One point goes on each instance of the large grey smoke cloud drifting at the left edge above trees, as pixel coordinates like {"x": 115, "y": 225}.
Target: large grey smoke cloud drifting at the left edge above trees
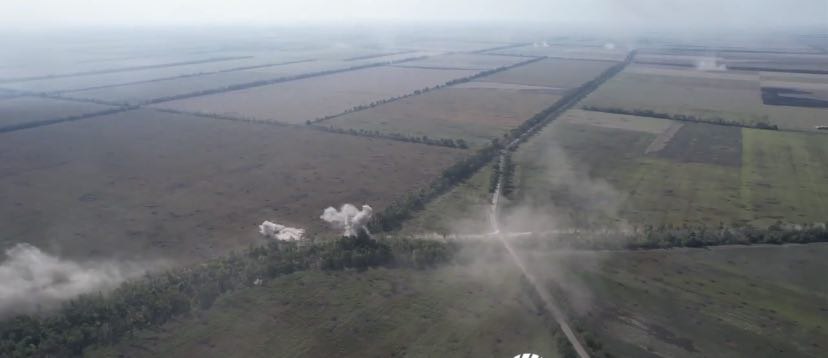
{"x": 32, "y": 281}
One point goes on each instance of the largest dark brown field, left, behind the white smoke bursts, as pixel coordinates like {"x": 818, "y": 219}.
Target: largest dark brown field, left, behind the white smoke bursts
{"x": 156, "y": 184}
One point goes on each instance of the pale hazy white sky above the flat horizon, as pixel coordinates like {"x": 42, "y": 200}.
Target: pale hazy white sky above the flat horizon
{"x": 739, "y": 13}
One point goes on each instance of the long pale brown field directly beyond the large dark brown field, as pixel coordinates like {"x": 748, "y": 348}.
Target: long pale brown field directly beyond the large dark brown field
{"x": 311, "y": 98}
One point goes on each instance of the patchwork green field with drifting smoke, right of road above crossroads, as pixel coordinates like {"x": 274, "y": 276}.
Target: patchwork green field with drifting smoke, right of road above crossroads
{"x": 646, "y": 173}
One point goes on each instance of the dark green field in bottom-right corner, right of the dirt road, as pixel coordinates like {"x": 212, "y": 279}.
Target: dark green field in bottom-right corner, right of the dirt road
{"x": 724, "y": 302}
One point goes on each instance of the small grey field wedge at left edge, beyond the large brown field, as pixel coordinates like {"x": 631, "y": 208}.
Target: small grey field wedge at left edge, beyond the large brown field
{"x": 25, "y": 110}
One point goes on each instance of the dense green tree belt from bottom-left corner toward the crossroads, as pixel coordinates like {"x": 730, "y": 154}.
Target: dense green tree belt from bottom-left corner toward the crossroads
{"x": 98, "y": 319}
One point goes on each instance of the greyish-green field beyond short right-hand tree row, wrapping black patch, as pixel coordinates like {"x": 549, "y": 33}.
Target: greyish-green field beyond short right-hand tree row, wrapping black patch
{"x": 734, "y": 97}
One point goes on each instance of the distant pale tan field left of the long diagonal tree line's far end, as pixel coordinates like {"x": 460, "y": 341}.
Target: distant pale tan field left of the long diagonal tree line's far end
{"x": 552, "y": 73}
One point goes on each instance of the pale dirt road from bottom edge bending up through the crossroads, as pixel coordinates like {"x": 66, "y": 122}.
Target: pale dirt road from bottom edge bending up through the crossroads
{"x": 549, "y": 302}
